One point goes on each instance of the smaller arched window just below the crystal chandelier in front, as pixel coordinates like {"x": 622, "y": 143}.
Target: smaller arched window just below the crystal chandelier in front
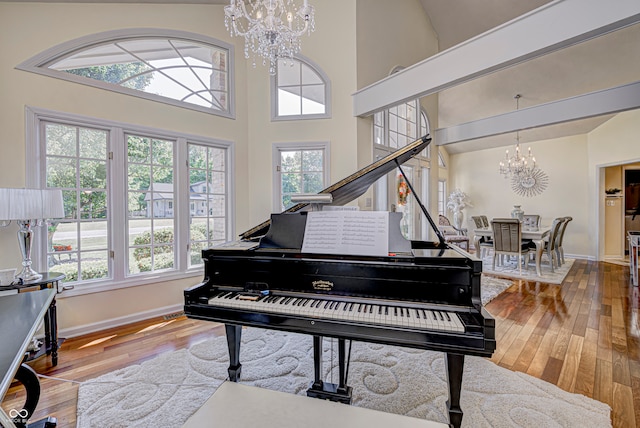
{"x": 300, "y": 90}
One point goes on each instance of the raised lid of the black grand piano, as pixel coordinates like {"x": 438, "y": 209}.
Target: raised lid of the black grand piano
{"x": 353, "y": 186}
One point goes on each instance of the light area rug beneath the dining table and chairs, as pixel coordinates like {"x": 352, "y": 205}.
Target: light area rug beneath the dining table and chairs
{"x": 510, "y": 270}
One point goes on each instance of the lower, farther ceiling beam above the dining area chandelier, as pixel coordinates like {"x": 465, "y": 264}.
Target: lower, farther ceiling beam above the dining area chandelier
{"x": 608, "y": 101}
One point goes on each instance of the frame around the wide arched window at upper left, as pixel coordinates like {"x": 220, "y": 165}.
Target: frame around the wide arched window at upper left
{"x": 39, "y": 63}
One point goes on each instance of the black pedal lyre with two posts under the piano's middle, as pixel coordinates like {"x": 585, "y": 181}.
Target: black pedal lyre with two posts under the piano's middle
{"x": 325, "y": 390}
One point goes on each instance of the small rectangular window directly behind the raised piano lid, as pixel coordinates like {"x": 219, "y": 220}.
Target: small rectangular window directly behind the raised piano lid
{"x": 300, "y": 168}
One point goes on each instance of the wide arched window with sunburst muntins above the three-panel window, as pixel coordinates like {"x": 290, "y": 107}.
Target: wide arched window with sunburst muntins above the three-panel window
{"x": 173, "y": 67}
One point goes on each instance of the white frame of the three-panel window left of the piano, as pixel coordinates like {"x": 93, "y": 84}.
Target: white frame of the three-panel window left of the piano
{"x": 117, "y": 210}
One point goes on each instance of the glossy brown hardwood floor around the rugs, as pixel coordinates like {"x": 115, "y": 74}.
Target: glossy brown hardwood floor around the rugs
{"x": 583, "y": 336}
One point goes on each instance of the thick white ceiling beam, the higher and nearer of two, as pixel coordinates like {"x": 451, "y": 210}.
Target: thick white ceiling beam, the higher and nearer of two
{"x": 552, "y": 27}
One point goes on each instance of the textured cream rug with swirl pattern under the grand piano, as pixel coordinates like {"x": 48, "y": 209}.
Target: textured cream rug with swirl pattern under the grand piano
{"x": 165, "y": 391}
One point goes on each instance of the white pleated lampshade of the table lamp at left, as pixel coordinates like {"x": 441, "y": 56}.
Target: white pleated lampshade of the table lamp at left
{"x": 31, "y": 204}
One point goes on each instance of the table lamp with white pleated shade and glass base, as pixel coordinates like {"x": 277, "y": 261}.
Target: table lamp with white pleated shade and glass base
{"x": 29, "y": 208}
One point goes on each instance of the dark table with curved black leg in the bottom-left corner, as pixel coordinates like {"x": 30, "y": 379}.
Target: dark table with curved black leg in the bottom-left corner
{"x": 20, "y": 315}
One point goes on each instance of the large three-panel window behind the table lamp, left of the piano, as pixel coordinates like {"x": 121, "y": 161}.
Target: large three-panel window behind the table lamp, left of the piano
{"x": 137, "y": 202}
